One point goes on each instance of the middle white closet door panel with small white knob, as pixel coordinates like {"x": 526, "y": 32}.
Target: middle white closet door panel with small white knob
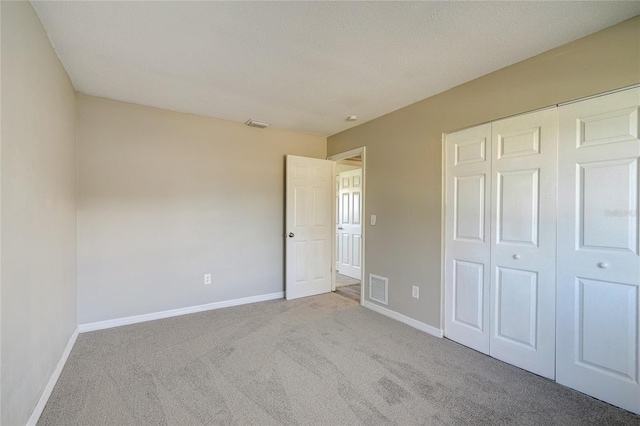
{"x": 523, "y": 241}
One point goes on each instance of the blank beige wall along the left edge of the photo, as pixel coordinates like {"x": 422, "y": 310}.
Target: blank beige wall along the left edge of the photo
{"x": 38, "y": 213}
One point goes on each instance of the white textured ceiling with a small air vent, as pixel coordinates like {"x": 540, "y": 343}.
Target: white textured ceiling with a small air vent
{"x": 303, "y": 66}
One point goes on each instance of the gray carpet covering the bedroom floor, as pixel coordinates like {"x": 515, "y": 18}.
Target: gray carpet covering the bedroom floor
{"x": 318, "y": 360}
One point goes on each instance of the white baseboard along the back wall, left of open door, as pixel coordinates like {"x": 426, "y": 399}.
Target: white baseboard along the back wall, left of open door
{"x": 101, "y": 325}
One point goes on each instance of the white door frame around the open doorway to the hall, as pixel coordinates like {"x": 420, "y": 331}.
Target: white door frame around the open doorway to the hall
{"x": 344, "y": 156}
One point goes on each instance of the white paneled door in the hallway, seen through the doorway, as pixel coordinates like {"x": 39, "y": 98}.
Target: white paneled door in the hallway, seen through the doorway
{"x": 349, "y": 227}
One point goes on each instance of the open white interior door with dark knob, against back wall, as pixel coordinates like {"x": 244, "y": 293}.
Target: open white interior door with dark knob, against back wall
{"x": 309, "y": 226}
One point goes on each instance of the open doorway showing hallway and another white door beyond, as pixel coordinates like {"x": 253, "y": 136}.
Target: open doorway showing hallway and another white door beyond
{"x": 348, "y": 247}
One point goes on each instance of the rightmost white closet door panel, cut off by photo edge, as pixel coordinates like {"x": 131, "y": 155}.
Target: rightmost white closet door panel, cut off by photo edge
{"x": 598, "y": 263}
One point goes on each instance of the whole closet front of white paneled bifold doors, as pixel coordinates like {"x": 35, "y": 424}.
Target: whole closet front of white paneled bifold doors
{"x": 542, "y": 263}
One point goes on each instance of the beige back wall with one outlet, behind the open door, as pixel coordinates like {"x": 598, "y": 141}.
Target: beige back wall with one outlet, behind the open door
{"x": 166, "y": 197}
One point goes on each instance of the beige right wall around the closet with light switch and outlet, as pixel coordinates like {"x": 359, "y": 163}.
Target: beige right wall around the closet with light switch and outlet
{"x": 404, "y": 186}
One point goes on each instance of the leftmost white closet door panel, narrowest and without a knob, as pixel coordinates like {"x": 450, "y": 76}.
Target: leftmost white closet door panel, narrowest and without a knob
{"x": 467, "y": 245}
